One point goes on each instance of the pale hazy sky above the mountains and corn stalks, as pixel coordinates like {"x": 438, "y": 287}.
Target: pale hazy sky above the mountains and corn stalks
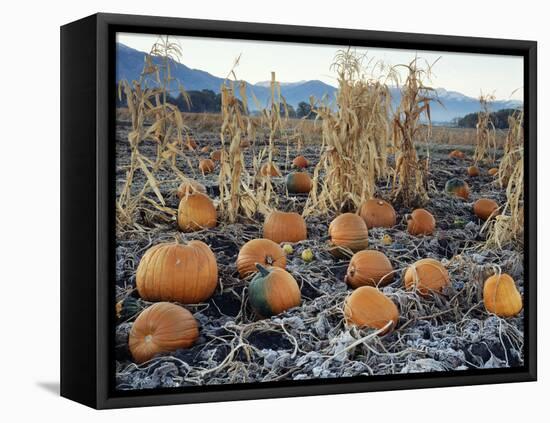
{"x": 464, "y": 72}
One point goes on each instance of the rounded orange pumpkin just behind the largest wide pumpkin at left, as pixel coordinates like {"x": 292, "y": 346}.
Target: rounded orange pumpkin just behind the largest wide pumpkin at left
{"x": 195, "y": 212}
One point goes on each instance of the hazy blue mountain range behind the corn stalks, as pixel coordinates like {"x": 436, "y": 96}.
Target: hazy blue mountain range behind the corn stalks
{"x": 129, "y": 65}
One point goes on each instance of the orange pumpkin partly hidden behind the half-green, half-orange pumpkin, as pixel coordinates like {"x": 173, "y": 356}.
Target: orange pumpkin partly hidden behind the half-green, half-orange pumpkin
{"x": 261, "y": 250}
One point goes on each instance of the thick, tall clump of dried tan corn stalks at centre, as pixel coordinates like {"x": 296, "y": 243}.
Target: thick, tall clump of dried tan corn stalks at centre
{"x": 354, "y": 137}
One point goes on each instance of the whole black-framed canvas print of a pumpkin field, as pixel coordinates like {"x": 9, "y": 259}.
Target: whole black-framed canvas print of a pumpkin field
{"x": 254, "y": 211}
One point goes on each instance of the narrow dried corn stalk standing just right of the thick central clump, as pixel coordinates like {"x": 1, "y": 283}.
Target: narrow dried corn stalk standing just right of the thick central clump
{"x": 410, "y": 178}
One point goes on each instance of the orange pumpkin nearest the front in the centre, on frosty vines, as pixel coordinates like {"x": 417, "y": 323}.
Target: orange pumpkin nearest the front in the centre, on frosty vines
{"x": 368, "y": 307}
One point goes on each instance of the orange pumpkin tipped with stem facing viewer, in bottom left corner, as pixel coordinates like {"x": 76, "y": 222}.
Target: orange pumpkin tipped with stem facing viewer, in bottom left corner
{"x": 162, "y": 327}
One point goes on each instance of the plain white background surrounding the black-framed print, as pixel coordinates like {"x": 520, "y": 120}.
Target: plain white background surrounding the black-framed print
{"x": 29, "y": 240}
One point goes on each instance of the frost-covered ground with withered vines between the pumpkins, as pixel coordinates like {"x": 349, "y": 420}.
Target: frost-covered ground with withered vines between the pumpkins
{"x": 447, "y": 332}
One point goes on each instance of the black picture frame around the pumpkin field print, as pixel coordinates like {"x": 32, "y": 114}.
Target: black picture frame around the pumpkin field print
{"x": 87, "y": 222}
